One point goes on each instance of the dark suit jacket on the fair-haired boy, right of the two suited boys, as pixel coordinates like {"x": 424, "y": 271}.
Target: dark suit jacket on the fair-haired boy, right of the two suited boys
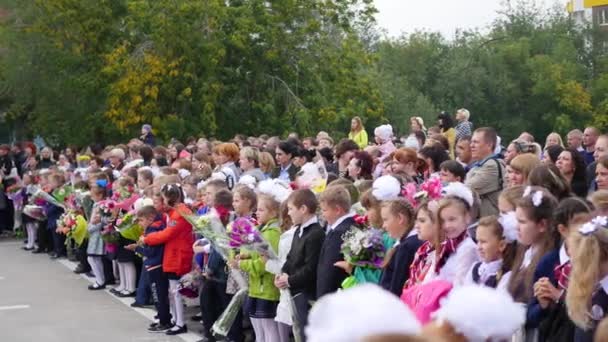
{"x": 330, "y": 277}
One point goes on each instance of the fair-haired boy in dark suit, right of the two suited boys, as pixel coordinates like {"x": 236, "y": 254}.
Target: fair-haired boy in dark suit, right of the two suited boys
{"x": 335, "y": 209}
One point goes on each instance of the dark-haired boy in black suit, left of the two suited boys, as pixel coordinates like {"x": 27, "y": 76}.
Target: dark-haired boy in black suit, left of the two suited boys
{"x": 300, "y": 268}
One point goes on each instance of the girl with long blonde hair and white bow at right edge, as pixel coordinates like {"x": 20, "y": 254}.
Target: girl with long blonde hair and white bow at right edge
{"x": 587, "y": 295}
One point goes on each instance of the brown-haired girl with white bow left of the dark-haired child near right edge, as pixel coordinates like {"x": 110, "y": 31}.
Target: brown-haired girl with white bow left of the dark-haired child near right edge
{"x": 536, "y": 237}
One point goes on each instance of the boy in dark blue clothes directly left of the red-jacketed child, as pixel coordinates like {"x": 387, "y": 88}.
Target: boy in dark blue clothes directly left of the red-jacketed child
{"x": 153, "y": 221}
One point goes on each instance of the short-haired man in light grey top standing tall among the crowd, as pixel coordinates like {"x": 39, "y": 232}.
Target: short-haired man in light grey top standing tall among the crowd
{"x": 486, "y": 175}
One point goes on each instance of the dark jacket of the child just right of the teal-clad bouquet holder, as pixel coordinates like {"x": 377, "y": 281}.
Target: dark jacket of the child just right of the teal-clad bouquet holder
{"x": 397, "y": 271}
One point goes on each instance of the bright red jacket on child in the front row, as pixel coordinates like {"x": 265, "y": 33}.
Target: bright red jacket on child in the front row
{"x": 178, "y": 239}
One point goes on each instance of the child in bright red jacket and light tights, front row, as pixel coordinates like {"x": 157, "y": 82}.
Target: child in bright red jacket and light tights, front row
{"x": 177, "y": 239}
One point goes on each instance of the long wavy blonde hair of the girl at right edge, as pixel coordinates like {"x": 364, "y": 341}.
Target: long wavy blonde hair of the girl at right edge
{"x": 591, "y": 249}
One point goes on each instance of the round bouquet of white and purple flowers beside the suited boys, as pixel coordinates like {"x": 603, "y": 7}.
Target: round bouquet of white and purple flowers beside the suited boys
{"x": 363, "y": 247}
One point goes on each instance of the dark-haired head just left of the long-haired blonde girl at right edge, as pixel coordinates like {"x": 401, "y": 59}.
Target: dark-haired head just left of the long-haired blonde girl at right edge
{"x": 569, "y": 214}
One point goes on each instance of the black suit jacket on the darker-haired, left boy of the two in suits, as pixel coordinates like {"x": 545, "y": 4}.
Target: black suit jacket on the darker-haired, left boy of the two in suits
{"x": 303, "y": 258}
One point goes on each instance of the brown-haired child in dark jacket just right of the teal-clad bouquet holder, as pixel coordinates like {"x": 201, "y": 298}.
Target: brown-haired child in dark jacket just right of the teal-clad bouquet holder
{"x": 398, "y": 220}
